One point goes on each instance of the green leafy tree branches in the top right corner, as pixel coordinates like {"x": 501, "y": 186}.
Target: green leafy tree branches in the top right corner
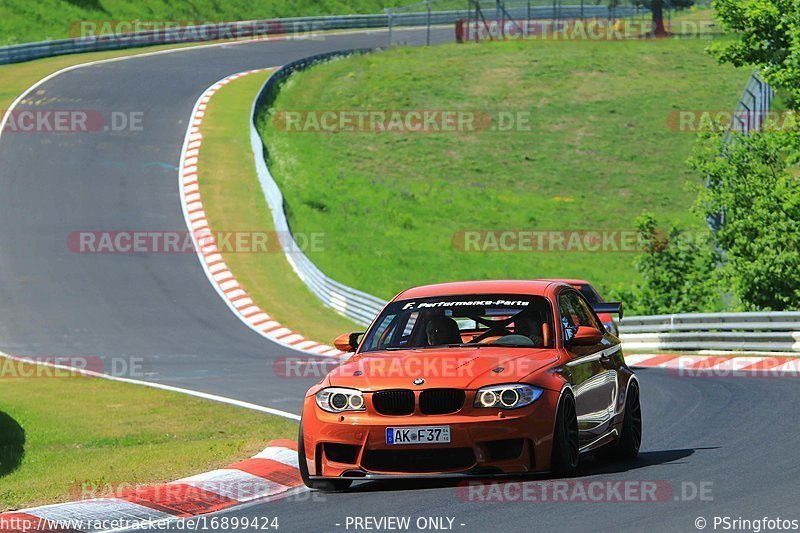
{"x": 767, "y": 36}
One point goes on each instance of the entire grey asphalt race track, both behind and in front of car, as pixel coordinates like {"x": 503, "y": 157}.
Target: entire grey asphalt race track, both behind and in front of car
{"x": 736, "y": 434}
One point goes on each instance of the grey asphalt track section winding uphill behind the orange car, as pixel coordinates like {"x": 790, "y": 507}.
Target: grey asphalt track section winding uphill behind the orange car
{"x": 156, "y": 308}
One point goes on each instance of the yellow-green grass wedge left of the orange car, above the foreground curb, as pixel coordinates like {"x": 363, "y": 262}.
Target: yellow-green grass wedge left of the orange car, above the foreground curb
{"x": 60, "y": 434}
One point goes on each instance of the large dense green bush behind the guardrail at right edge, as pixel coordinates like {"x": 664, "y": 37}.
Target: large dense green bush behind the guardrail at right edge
{"x": 752, "y": 182}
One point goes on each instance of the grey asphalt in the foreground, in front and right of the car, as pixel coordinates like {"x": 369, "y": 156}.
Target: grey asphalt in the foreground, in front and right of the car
{"x": 732, "y": 433}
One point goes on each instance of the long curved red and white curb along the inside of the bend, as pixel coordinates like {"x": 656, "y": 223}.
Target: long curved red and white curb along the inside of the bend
{"x": 217, "y": 271}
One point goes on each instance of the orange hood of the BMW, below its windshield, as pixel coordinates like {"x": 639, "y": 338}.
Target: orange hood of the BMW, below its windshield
{"x": 461, "y": 368}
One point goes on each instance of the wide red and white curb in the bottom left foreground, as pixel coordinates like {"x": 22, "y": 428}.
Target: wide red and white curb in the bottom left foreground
{"x": 272, "y": 474}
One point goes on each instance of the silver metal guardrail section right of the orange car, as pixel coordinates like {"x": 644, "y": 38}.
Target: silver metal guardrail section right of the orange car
{"x": 768, "y": 332}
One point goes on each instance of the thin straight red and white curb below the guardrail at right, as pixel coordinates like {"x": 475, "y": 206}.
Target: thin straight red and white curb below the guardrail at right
{"x": 719, "y": 365}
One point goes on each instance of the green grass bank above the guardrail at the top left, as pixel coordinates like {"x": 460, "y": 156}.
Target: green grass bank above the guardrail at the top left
{"x": 24, "y": 21}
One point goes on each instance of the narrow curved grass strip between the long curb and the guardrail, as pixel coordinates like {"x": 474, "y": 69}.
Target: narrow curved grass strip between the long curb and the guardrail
{"x": 234, "y": 202}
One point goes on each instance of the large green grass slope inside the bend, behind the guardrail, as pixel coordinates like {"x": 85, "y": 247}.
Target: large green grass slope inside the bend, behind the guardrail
{"x": 599, "y": 153}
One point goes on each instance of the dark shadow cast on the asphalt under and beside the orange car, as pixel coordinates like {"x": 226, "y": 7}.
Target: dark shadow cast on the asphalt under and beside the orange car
{"x": 589, "y": 467}
